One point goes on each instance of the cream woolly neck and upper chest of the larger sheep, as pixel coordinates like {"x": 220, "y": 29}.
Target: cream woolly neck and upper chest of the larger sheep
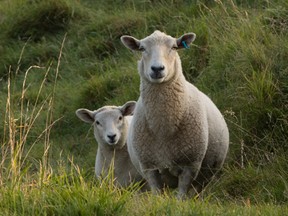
{"x": 166, "y": 103}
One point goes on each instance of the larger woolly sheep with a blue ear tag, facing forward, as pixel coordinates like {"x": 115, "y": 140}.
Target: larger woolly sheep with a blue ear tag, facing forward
{"x": 177, "y": 132}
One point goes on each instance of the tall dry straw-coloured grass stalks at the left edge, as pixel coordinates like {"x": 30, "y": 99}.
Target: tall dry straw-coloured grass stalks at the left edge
{"x": 18, "y": 125}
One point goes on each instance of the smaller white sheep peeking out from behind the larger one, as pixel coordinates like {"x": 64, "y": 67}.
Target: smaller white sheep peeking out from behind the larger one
{"x": 111, "y": 125}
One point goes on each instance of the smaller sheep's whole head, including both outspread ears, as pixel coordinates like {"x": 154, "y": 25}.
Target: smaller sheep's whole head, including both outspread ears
{"x": 110, "y": 126}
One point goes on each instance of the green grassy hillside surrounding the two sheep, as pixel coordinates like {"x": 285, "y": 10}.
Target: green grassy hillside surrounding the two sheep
{"x": 60, "y": 55}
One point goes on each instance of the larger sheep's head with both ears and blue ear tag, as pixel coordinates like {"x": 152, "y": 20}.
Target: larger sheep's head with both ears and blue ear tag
{"x": 159, "y": 54}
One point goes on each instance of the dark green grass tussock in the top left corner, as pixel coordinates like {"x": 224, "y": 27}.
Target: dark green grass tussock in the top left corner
{"x": 40, "y": 18}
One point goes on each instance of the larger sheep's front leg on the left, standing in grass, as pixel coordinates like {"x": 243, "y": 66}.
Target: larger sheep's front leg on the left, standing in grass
{"x": 153, "y": 178}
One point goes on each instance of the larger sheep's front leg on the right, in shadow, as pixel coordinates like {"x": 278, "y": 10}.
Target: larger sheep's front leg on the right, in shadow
{"x": 186, "y": 177}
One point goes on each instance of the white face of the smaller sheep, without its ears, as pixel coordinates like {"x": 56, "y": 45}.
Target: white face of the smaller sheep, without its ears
{"x": 108, "y": 126}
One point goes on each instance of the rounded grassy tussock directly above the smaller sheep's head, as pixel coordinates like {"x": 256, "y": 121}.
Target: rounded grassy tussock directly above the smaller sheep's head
{"x": 110, "y": 87}
